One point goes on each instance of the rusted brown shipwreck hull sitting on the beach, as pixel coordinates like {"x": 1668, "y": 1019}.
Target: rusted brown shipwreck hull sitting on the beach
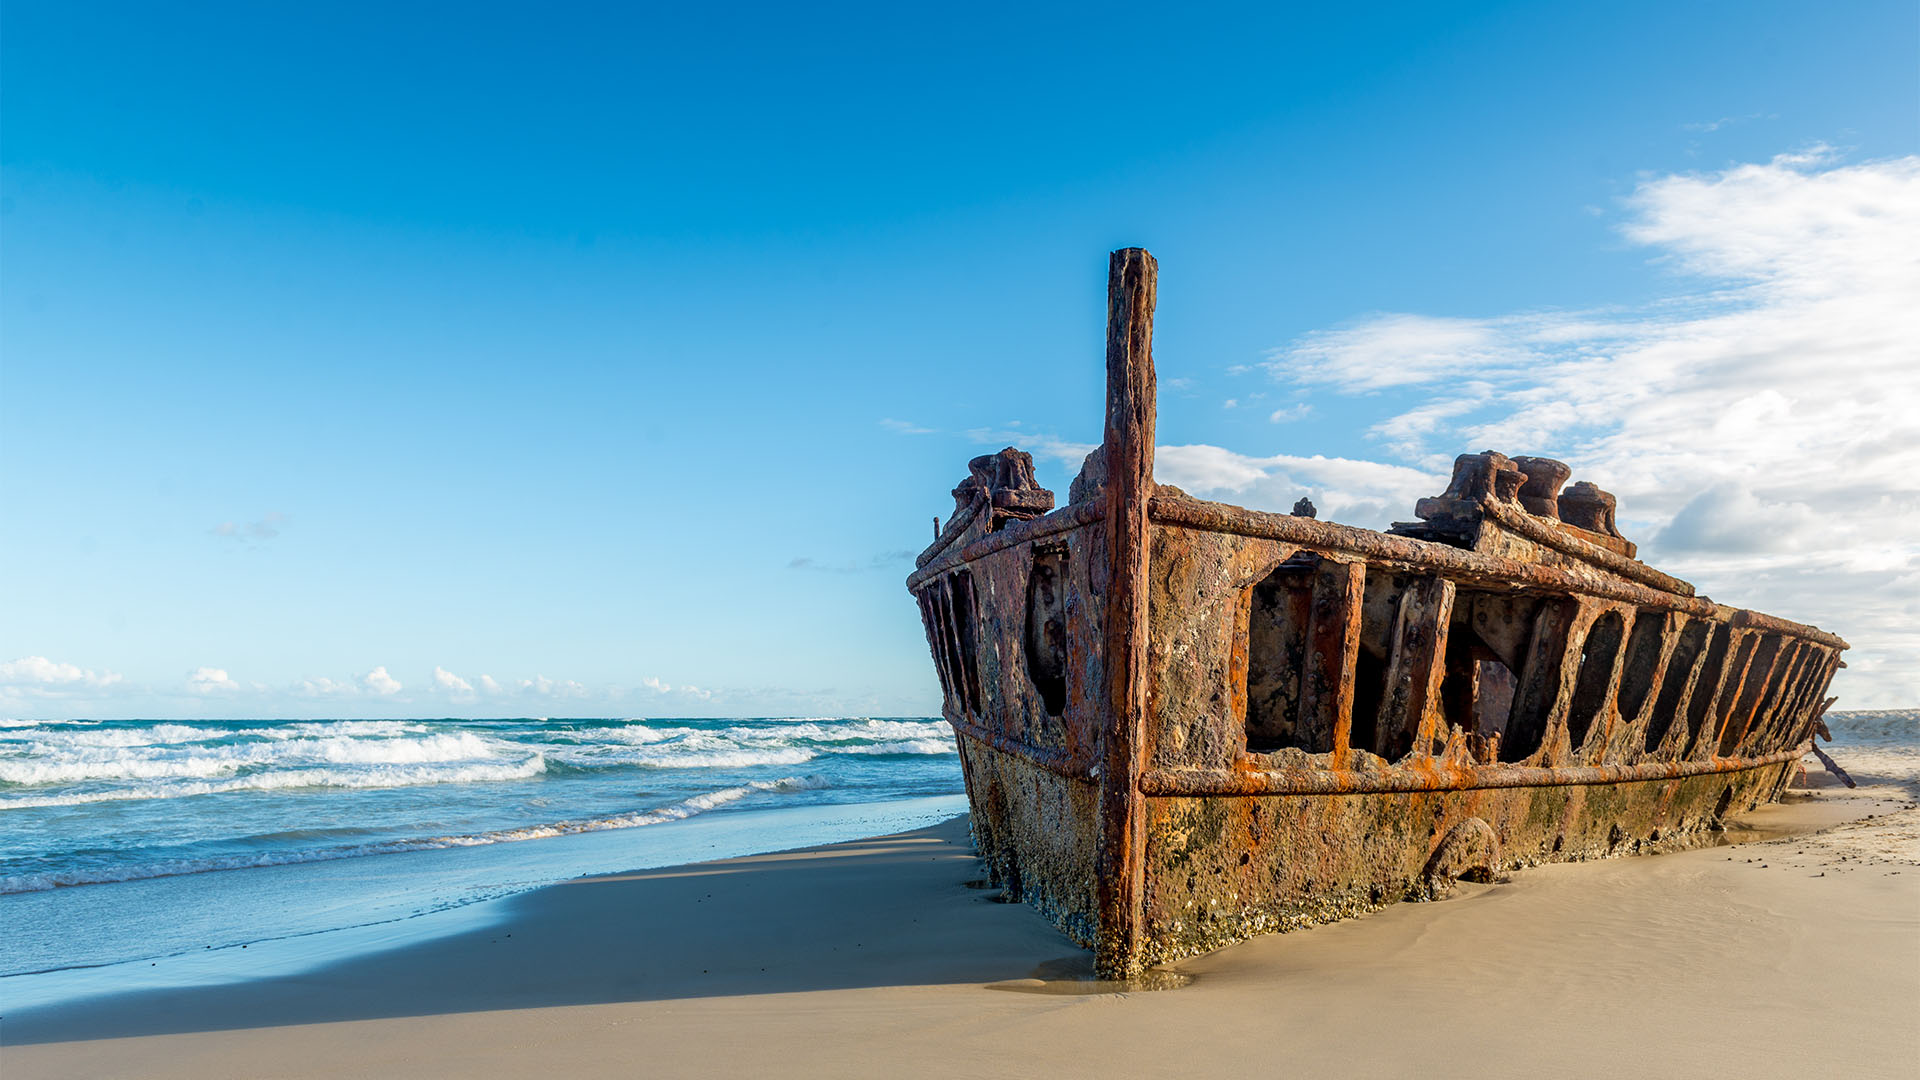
{"x": 1184, "y": 724}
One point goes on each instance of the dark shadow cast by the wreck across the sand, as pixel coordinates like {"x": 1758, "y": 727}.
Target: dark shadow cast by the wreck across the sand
{"x": 888, "y": 912}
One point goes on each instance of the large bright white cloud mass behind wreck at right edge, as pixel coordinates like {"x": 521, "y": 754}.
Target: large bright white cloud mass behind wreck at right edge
{"x": 1762, "y": 431}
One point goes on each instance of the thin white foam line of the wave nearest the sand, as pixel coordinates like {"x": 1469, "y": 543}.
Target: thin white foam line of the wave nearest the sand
{"x": 673, "y": 812}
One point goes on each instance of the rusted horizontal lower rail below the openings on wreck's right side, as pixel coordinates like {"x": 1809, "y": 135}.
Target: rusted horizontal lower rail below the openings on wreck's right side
{"x": 1433, "y": 777}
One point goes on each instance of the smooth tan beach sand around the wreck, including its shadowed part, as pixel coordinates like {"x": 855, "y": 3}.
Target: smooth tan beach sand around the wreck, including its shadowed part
{"x": 1785, "y": 958}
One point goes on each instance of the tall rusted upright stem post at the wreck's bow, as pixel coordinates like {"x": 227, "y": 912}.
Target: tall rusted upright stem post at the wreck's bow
{"x": 1130, "y": 485}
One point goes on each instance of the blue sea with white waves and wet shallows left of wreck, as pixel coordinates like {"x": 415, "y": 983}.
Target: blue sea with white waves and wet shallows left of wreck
{"x": 130, "y": 841}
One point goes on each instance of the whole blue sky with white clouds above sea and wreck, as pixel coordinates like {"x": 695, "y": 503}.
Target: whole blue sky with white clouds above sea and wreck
{"x": 625, "y": 355}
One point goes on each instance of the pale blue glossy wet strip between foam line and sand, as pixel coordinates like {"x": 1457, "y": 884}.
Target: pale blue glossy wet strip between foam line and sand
{"x": 189, "y": 929}
